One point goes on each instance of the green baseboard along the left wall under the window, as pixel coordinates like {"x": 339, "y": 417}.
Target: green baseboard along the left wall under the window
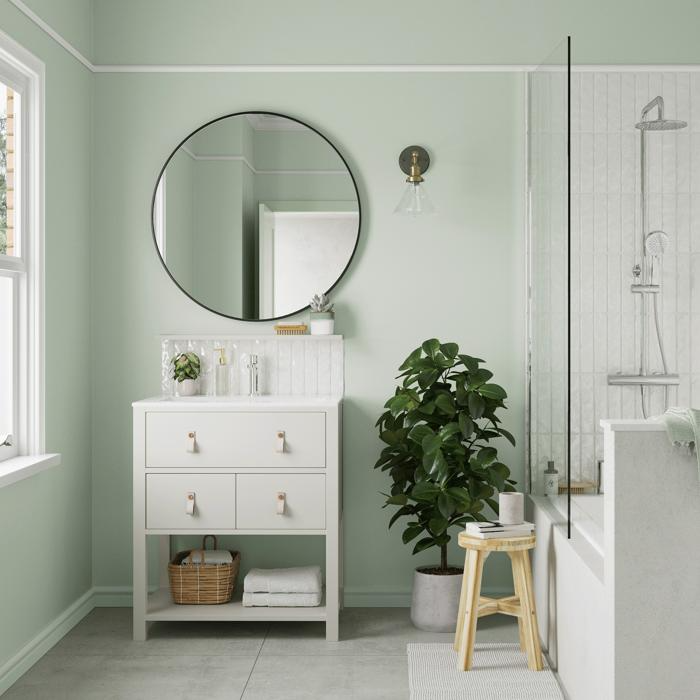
{"x": 33, "y": 650}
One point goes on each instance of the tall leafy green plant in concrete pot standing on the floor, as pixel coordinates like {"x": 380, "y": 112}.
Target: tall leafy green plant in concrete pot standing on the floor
{"x": 444, "y": 472}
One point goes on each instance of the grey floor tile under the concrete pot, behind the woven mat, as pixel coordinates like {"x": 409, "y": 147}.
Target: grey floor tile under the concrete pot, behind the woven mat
{"x": 372, "y": 631}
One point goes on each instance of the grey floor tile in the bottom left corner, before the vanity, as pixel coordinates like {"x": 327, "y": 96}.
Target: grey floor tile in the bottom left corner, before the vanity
{"x": 58, "y": 677}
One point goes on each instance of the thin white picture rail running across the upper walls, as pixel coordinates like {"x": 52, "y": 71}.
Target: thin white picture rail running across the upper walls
{"x": 339, "y": 68}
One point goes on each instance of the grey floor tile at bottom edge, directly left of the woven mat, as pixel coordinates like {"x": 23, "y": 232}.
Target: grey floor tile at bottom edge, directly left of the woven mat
{"x": 328, "y": 677}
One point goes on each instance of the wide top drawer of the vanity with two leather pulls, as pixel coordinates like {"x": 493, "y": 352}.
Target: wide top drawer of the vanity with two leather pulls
{"x": 235, "y": 440}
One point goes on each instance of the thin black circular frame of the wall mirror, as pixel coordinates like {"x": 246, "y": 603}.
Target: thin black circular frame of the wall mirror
{"x": 240, "y": 114}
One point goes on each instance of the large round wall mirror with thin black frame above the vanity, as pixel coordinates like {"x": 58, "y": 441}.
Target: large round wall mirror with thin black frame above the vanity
{"x": 254, "y": 213}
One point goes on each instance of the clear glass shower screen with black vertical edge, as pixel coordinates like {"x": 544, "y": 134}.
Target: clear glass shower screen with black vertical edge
{"x": 549, "y": 282}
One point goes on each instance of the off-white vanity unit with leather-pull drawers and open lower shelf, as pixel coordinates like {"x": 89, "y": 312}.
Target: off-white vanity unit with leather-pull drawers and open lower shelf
{"x": 266, "y": 465}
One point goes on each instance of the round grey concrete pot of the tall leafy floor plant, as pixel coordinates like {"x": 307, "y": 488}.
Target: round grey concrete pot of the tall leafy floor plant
{"x": 435, "y": 601}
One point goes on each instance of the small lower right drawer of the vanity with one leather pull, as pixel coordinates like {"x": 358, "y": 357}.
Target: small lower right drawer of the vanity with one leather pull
{"x": 303, "y": 506}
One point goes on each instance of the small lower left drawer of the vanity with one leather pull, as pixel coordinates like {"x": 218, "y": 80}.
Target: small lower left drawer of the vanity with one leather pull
{"x": 214, "y": 500}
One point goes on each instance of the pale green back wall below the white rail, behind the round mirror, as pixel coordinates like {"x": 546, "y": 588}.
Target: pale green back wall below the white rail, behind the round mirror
{"x": 457, "y": 275}
